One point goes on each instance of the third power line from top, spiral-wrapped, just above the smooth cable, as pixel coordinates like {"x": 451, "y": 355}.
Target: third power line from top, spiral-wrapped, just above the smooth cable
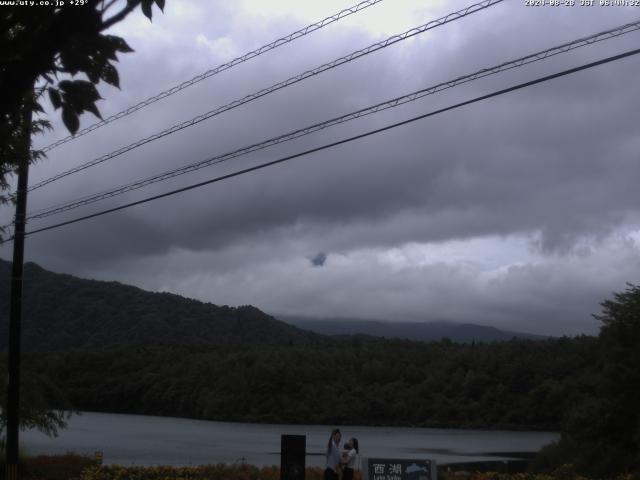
{"x": 605, "y": 35}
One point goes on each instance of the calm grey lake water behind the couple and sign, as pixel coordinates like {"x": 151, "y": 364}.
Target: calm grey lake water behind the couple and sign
{"x": 146, "y": 440}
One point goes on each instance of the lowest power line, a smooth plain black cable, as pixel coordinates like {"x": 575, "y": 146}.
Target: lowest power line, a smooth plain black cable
{"x": 340, "y": 142}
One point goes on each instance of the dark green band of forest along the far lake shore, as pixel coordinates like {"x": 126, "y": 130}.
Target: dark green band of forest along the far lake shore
{"x": 520, "y": 384}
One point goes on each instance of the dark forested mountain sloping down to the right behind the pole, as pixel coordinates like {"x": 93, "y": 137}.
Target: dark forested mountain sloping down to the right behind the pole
{"x": 62, "y": 312}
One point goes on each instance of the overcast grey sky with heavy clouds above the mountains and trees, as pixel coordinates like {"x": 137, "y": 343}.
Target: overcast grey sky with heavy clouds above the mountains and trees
{"x": 520, "y": 212}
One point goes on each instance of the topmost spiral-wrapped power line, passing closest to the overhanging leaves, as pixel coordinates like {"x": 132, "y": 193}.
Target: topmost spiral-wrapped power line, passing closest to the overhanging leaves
{"x": 214, "y": 71}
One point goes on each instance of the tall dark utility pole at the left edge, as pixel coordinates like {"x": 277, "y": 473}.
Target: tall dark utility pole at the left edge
{"x": 15, "y": 315}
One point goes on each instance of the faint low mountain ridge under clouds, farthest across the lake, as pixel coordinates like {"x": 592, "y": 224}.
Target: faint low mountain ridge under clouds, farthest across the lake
{"x": 425, "y": 332}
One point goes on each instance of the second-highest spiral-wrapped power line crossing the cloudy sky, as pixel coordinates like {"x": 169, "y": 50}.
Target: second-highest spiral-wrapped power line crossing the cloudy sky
{"x": 309, "y": 73}
